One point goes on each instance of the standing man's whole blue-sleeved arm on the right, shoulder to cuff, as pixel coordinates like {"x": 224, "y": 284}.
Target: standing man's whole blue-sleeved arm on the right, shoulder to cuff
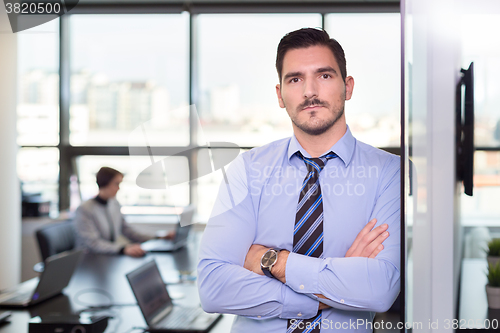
{"x": 356, "y": 283}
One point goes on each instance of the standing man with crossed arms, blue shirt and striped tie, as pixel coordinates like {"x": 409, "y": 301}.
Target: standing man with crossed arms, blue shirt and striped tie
{"x": 294, "y": 242}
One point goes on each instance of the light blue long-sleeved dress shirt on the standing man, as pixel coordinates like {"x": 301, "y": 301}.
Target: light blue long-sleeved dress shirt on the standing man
{"x": 257, "y": 205}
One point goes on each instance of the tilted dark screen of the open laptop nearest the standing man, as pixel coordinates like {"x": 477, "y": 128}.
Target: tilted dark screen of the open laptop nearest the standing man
{"x": 149, "y": 289}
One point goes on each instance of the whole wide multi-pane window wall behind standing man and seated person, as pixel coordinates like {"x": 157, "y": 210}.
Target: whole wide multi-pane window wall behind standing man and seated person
{"x": 132, "y": 78}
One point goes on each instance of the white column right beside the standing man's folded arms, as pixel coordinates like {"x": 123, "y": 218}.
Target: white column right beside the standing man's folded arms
{"x": 435, "y": 66}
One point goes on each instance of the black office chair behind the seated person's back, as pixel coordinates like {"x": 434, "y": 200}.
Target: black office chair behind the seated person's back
{"x": 55, "y": 238}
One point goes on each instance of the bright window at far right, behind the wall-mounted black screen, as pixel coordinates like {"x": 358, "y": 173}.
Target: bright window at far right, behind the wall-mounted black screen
{"x": 481, "y": 209}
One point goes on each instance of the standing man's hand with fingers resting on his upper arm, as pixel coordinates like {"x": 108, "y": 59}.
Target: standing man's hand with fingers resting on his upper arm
{"x": 368, "y": 243}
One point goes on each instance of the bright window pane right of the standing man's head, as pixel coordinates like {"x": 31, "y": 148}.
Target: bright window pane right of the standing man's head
{"x": 371, "y": 43}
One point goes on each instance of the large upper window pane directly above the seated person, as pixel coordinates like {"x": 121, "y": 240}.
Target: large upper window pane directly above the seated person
{"x": 127, "y": 70}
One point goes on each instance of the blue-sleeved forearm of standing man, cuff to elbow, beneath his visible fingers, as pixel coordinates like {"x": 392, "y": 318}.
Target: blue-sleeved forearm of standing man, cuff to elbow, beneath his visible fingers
{"x": 357, "y": 283}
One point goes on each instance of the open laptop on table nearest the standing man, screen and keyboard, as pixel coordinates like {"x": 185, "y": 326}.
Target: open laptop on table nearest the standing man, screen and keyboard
{"x": 156, "y": 306}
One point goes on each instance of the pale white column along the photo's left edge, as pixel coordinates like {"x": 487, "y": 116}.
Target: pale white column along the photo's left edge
{"x": 10, "y": 201}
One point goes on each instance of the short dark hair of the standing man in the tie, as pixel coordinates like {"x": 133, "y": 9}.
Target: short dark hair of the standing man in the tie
{"x": 307, "y": 37}
